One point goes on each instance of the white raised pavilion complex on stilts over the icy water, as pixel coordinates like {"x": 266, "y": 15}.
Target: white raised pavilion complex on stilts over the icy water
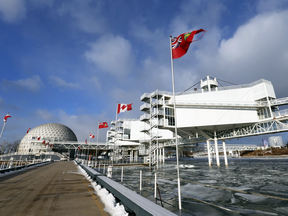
{"x": 209, "y": 114}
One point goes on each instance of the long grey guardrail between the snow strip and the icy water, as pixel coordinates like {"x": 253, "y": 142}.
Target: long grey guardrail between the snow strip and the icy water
{"x": 131, "y": 200}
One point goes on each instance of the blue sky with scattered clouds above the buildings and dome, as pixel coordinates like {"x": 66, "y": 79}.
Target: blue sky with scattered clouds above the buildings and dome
{"x": 71, "y": 61}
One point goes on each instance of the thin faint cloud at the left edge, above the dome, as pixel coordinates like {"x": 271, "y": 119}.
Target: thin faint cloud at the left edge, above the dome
{"x": 32, "y": 84}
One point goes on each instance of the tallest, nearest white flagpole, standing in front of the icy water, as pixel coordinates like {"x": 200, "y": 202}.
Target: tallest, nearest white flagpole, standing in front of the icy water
{"x": 175, "y": 119}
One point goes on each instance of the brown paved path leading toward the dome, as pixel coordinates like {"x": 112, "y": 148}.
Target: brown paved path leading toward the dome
{"x": 53, "y": 189}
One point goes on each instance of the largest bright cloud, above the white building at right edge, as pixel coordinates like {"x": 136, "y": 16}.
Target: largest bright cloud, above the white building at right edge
{"x": 258, "y": 49}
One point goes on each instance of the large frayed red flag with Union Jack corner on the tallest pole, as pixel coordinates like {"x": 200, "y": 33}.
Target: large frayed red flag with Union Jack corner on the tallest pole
{"x": 181, "y": 43}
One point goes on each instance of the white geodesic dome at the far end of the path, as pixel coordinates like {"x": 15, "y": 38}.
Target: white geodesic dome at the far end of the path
{"x": 51, "y": 132}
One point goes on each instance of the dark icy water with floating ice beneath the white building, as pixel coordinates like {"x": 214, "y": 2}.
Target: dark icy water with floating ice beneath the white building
{"x": 234, "y": 194}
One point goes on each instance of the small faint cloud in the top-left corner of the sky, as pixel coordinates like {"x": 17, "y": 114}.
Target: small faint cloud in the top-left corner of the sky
{"x": 12, "y": 11}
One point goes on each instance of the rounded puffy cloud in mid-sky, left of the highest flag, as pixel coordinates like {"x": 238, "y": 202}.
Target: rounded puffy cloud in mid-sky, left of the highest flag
{"x": 112, "y": 54}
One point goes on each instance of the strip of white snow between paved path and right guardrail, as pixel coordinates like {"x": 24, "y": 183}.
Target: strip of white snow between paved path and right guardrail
{"x": 113, "y": 208}
